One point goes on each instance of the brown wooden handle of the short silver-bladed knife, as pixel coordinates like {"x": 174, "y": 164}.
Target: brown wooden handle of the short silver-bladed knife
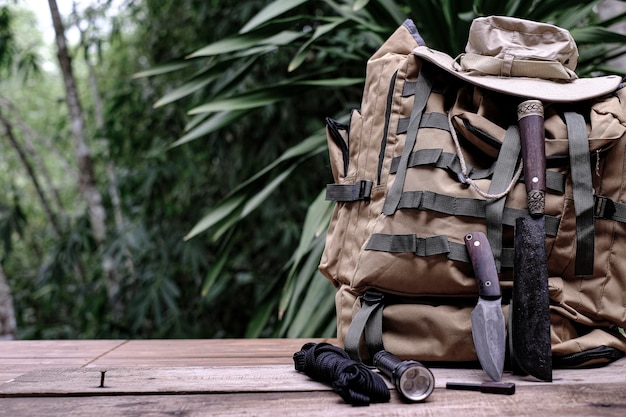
{"x": 484, "y": 265}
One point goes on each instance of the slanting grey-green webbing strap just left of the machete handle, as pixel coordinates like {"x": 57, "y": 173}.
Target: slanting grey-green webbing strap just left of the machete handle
{"x": 502, "y": 176}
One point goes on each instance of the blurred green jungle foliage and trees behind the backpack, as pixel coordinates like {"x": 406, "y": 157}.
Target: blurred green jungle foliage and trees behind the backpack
{"x": 163, "y": 161}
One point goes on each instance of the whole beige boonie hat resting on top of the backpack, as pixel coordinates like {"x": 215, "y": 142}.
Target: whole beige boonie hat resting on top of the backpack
{"x": 521, "y": 58}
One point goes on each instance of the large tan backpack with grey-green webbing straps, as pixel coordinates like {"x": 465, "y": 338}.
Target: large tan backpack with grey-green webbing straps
{"x": 394, "y": 246}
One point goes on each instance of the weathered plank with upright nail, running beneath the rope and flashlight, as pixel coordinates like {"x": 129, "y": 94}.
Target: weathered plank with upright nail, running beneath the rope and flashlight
{"x": 258, "y": 378}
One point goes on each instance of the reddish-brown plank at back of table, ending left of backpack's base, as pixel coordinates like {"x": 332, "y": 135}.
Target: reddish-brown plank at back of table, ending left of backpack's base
{"x": 234, "y": 352}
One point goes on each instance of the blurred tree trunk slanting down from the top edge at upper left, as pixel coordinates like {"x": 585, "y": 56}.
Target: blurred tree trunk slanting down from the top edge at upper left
{"x": 86, "y": 178}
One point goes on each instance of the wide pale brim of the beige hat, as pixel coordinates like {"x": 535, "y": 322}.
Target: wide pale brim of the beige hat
{"x": 532, "y": 88}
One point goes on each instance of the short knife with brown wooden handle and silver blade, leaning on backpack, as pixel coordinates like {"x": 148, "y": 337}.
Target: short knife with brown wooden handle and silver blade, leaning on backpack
{"x": 488, "y": 326}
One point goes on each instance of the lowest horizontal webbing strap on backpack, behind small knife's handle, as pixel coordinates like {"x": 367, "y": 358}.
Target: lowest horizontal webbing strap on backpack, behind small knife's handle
{"x": 430, "y": 246}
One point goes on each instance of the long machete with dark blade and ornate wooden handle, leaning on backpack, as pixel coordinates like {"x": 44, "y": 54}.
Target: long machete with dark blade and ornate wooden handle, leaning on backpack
{"x": 530, "y": 340}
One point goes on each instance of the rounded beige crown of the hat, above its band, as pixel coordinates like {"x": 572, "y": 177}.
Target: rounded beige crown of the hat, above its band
{"x": 513, "y": 38}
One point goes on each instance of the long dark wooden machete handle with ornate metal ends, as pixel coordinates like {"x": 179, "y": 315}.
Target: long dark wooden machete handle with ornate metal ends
{"x": 530, "y": 119}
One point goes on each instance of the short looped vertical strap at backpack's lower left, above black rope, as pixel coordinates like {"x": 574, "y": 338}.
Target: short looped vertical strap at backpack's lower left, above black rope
{"x": 364, "y": 323}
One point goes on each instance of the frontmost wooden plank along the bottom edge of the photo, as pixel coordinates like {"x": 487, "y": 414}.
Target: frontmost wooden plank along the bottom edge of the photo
{"x": 529, "y": 401}
